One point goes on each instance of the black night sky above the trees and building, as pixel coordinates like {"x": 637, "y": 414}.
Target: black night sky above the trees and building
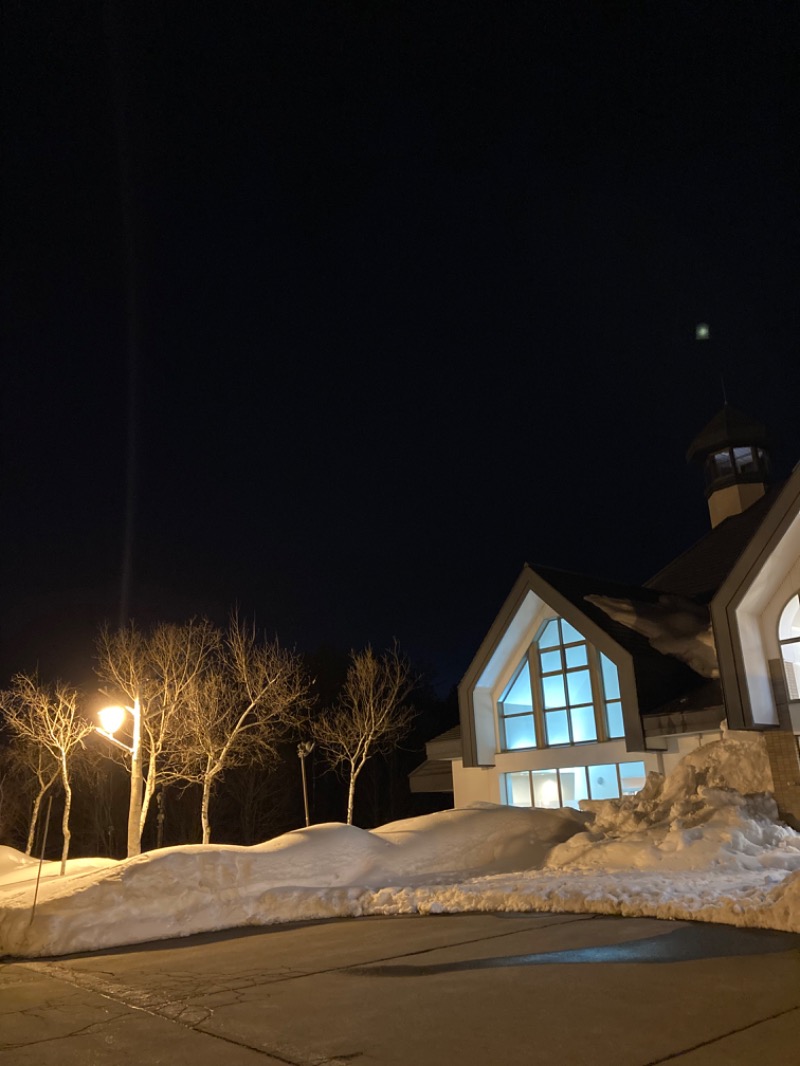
{"x": 414, "y": 295}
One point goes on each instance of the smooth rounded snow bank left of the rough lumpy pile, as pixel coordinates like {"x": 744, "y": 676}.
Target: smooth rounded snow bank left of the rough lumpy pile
{"x": 310, "y": 874}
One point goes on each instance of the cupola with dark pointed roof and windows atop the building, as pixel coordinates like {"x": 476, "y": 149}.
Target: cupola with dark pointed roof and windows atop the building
{"x": 732, "y": 449}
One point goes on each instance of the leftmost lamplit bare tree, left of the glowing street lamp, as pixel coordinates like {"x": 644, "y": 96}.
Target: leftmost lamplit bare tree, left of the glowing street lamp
{"x": 49, "y": 719}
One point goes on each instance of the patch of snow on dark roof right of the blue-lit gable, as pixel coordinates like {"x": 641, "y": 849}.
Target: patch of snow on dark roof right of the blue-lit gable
{"x": 674, "y": 626}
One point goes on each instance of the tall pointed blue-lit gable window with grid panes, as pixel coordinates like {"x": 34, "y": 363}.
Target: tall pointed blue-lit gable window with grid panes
{"x": 564, "y": 692}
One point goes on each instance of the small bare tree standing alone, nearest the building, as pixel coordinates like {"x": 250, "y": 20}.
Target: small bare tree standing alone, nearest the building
{"x": 370, "y": 717}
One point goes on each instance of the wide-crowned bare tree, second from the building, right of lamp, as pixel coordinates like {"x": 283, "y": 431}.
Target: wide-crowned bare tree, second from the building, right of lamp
{"x": 239, "y": 709}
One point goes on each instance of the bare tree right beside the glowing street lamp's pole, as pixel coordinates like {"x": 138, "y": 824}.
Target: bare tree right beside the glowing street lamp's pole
{"x": 159, "y": 675}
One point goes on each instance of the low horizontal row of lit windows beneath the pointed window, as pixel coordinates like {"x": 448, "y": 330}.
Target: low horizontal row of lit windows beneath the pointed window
{"x": 568, "y": 786}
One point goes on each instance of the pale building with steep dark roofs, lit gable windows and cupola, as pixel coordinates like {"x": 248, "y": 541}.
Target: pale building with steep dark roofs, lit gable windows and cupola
{"x": 584, "y": 686}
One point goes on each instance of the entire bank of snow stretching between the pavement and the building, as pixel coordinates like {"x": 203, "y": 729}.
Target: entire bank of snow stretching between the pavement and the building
{"x": 703, "y": 844}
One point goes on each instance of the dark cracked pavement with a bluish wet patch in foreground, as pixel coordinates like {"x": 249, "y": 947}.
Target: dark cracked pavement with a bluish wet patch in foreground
{"x": 471, "y": 990}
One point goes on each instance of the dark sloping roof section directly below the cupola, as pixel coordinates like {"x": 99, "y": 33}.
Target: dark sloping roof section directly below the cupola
{"x": 701, "y": 570}
